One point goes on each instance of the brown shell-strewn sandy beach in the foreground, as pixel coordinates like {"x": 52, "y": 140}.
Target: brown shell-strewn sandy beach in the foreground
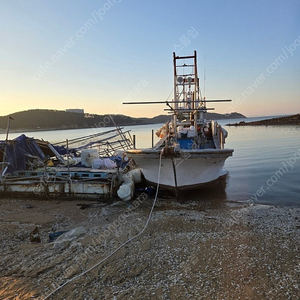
{"x": 189, "y": 250}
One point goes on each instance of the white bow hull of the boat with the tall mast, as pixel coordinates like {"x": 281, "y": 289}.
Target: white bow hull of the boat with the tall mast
{"x": 185, "y": 169}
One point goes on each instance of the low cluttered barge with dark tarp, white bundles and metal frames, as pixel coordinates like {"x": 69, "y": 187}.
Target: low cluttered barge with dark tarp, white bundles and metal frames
{"x": 86, "y": 167}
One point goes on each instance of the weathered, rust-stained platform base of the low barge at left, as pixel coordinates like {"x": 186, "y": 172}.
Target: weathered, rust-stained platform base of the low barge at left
{"x": 74, "y": 183}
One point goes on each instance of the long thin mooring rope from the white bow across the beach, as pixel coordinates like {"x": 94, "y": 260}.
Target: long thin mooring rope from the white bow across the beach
{"x": 120, "y": 247}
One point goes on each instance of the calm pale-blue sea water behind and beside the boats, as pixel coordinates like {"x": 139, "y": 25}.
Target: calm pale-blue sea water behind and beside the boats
{"x": 264, "y": 168}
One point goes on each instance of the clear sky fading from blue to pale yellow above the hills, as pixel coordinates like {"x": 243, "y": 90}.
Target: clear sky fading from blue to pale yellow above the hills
{"x": 94, "y": 55}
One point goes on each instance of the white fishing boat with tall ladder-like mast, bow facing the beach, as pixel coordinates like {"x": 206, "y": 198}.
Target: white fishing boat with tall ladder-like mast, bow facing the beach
{"x": 190, "y": 152}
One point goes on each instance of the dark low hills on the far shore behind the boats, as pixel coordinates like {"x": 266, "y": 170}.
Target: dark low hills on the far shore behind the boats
{"x": 44, "y": 119}
